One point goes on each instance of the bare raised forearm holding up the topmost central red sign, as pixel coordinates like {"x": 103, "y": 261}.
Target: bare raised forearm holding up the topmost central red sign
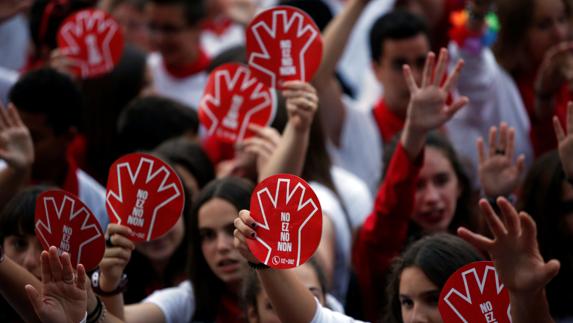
{"x": 290, "y": 154}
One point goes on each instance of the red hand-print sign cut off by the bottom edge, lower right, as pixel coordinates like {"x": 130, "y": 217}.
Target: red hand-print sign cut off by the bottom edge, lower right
{"x": 474, "y": 293}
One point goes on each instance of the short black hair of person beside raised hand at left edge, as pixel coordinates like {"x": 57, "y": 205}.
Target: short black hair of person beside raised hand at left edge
{"x": 48, "y": 92}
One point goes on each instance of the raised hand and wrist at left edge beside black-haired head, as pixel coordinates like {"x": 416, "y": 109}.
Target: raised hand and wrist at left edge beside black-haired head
{"x": 17, "y": 150}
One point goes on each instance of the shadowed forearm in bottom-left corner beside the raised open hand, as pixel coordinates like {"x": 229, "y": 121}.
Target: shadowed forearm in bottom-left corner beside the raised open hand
{"x": 13, "y": 278}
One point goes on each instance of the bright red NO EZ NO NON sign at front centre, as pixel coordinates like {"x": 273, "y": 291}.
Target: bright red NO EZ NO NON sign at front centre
{"x": 289, "y": 221}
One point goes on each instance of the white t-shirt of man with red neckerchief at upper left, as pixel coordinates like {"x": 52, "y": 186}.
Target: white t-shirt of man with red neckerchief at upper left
{"x": 185, "y": 90}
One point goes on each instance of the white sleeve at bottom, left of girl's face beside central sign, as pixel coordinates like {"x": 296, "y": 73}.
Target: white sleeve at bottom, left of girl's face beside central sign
{"x": 176, "y": 303}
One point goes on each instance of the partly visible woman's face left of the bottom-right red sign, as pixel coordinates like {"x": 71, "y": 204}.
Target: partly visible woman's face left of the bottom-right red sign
{"x": 418, "y": 297}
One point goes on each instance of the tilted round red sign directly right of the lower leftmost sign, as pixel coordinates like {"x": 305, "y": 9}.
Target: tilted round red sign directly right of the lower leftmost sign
{"x": 144, "y": 194}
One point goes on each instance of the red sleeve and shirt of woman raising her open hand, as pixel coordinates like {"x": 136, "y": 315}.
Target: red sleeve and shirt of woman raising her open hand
{"x": 384, "y": 233}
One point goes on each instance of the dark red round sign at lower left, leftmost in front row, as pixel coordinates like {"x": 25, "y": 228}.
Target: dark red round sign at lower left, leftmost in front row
{"x": 62, "y": 220}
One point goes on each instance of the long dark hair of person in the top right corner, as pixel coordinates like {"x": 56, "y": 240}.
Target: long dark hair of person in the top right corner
{"x": 515, "y": 17}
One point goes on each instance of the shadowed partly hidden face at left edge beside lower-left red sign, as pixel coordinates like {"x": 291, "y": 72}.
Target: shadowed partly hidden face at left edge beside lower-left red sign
{"x": 24, "y": 250}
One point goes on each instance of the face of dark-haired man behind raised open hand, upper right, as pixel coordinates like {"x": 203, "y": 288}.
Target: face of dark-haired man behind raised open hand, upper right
{"x": 388, "y": 69}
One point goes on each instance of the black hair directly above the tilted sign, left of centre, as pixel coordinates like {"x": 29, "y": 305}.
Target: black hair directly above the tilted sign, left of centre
{"x": 149, "y": 121}
